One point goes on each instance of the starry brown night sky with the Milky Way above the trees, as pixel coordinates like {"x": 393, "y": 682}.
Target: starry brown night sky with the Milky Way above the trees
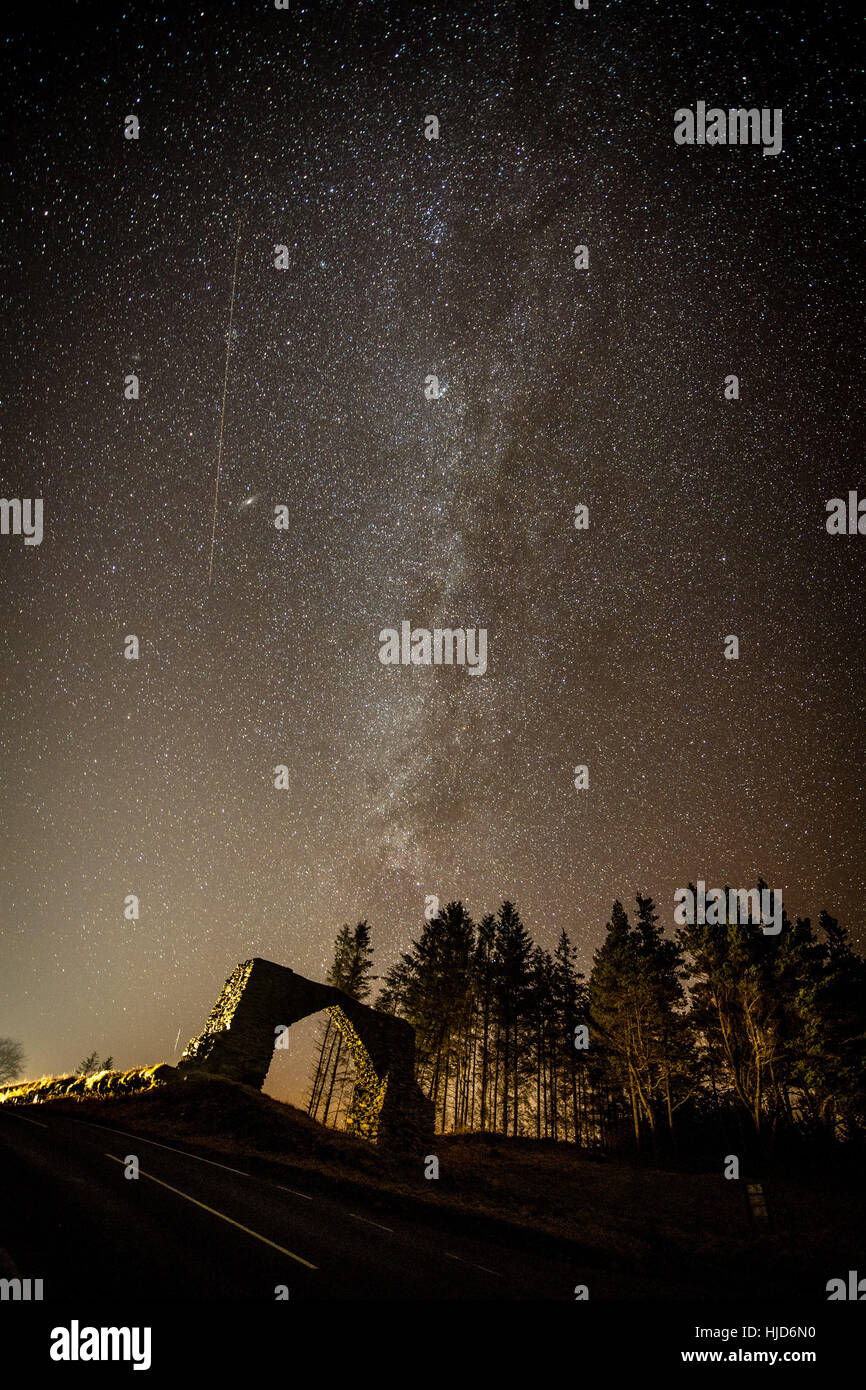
{"x": 559, "y": 387}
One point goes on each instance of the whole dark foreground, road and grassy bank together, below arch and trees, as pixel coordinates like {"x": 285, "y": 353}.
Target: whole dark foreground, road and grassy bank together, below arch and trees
{"x": 505, "y": 1220}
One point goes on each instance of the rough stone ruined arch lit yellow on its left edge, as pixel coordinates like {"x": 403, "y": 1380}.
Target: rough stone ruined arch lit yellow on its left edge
{"x": 259, "y": 999}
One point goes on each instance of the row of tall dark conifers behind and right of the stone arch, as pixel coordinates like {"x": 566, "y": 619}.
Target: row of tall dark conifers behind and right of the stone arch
{"x": 667, "y": 1036}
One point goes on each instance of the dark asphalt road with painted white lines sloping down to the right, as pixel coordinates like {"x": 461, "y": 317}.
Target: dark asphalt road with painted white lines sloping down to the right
{"x": 194, "y": 1229}
